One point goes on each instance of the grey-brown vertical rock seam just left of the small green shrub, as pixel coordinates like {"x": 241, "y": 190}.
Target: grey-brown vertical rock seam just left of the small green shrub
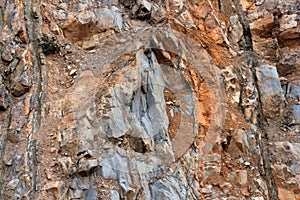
{"x": 33, "y": 26}
